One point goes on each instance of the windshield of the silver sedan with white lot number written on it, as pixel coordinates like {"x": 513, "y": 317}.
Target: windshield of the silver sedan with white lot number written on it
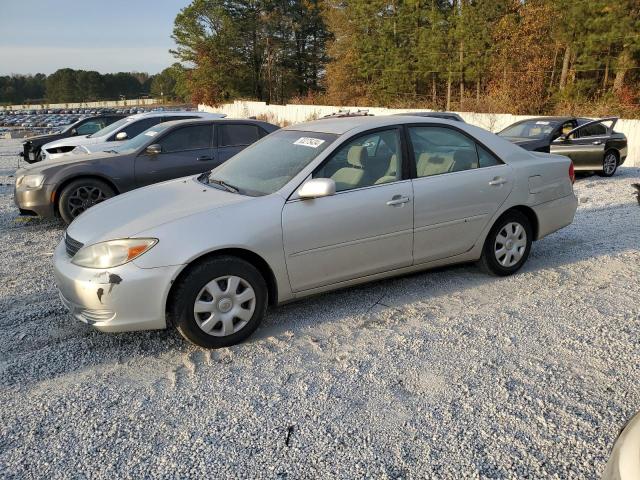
{"x": 268, "y": 165}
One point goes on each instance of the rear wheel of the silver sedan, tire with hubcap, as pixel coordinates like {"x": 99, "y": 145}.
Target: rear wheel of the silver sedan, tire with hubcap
{"x": 497, "y": 257}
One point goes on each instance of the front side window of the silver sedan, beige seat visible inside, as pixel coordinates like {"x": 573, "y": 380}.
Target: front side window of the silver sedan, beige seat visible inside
{"x": 365, "y": 161}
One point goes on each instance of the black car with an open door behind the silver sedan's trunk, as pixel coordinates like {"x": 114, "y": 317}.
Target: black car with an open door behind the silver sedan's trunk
{"x": 592, "y": 145}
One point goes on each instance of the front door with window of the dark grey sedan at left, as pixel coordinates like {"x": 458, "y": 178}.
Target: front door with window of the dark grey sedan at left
{"x": 185, "y": 151}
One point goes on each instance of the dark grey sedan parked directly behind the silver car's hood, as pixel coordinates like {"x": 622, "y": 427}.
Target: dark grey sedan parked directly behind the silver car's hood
{"x": 174, "y": 149}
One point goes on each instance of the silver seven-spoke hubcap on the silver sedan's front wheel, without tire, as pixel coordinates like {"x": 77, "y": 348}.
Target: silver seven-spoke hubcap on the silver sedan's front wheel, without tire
{"x": 224, "y": 306}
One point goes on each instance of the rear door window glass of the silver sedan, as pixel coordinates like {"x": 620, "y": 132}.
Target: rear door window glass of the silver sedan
{"x": 440, "y": 150}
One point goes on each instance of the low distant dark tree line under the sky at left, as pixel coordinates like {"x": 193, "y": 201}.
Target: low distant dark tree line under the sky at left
{"x": 70, "y": 86}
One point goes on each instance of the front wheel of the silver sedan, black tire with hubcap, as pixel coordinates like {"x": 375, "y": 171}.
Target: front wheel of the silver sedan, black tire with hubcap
{"x": 206, "y": 311}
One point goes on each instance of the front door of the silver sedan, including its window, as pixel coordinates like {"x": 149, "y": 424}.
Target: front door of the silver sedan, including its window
{"x": 365, "y": 228}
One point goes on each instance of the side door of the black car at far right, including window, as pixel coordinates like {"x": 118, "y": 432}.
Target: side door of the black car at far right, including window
{"x": 584, "y": 145}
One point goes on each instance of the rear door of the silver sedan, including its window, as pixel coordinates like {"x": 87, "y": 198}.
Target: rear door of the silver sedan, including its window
{"x": 459, "y": 185}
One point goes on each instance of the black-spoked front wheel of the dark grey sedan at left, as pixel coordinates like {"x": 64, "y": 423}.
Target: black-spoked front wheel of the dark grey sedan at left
{"x": 81, "y": 195}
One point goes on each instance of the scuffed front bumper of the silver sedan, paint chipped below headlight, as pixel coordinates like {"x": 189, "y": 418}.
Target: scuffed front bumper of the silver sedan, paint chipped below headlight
{"x": 120, "y": 299}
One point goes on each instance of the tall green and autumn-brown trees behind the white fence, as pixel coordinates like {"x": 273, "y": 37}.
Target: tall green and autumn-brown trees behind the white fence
{"x": 518, "y": 56}
